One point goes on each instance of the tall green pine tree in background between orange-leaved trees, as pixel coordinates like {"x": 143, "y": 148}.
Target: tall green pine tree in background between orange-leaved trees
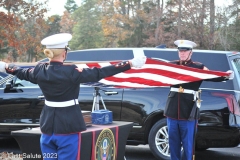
{"x": 88, "y": 29}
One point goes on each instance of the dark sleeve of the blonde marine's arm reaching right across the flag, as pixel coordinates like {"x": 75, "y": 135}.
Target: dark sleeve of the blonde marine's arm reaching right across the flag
{"x": 96, "y": 74}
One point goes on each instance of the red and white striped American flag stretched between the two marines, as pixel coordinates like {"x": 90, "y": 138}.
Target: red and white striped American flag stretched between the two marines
{"x": 153, "y": 74}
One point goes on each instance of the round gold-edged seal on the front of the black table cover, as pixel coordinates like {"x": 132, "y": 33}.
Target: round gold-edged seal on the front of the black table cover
{"x": 105, "y": 146}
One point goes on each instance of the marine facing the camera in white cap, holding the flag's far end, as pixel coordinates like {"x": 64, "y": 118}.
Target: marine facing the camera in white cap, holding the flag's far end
{"x": 181, "y": 111}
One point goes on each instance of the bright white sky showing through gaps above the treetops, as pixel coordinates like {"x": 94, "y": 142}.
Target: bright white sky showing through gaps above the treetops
{"x": 57, "y": 6}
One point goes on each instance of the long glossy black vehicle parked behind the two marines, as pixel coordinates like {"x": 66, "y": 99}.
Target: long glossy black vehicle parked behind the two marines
{"x": 21, "y": 101}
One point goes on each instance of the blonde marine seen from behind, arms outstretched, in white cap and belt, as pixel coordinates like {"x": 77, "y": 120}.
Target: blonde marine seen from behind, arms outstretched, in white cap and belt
{"x": 61, "y": 120}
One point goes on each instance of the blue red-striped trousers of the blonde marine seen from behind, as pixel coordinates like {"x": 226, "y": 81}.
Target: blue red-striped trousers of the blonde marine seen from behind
{"x": 60, "y": 147}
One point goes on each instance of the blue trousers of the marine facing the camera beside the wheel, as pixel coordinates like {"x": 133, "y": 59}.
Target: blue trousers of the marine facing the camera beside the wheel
{"x": 181, "y": 134}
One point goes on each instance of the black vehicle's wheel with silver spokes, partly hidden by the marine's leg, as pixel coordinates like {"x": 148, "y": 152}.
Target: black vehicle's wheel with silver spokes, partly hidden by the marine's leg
{"x": 158, "y": 140}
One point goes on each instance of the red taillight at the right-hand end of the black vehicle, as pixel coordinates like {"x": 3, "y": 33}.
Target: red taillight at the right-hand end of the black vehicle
{"x": 231, "y": 101}
